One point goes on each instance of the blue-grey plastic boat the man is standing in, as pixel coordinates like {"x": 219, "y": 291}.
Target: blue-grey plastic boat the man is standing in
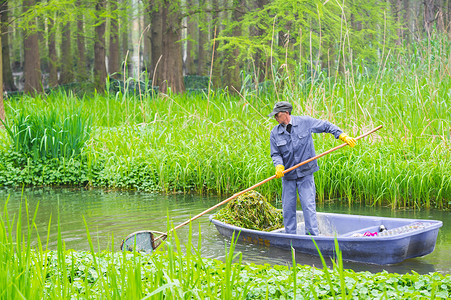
{"x": 406, "y": 238}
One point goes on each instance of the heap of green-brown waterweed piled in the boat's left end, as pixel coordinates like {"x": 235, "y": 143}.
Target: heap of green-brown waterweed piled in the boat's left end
{"x": 251, "y": 210}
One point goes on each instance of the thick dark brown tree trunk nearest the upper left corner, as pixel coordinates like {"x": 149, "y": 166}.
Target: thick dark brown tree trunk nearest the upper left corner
{"x": 32, "y": 64}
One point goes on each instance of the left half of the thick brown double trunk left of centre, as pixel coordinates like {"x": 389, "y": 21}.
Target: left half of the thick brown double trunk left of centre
{"x": 156, "y": 40}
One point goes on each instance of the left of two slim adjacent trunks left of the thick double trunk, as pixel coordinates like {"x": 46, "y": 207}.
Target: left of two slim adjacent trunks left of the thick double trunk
{"x": 99, "y": 48}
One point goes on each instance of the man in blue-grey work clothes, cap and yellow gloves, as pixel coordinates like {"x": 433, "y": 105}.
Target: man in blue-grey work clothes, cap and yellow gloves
{"x": 291, "y": 143}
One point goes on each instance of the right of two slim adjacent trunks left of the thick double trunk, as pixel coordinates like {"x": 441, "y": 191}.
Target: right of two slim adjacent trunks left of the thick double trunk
{"x": 113, "y": 50}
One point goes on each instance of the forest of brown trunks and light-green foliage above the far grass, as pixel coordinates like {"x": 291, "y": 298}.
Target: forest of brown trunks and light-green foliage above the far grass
{"x": 47, "y": 42}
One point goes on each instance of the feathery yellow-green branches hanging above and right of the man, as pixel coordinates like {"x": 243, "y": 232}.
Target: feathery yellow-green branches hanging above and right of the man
{"x": 333, "y": 34}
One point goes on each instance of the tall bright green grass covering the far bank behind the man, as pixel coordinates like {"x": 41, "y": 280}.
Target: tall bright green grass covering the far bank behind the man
{"x": 219, "y": 142}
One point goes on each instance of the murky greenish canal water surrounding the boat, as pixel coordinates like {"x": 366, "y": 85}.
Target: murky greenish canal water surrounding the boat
{"x": 111, "y": 216}
